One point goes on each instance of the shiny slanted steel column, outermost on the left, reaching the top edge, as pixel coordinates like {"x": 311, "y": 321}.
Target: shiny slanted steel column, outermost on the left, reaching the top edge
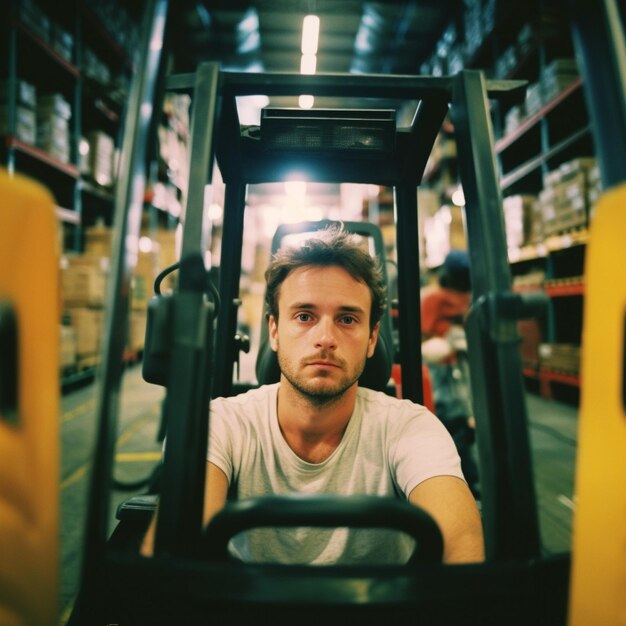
{"x": 128, "y": 210}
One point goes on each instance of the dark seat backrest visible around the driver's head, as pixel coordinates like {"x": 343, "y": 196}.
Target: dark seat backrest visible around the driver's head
{"x": 377, "y": 370}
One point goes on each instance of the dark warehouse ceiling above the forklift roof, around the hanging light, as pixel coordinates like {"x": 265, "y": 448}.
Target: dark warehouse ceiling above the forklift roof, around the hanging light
{"x": 395, "y": 36}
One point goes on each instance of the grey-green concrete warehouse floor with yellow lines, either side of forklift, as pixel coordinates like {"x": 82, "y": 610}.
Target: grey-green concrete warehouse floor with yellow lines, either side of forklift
{"x": 552, "y": 432}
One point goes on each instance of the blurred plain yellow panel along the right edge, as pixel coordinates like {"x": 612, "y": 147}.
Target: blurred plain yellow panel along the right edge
{"x": 598, "y": 586}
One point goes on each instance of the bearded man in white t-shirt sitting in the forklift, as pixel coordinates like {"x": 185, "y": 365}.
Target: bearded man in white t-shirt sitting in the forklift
{"x": 316, "y": 431}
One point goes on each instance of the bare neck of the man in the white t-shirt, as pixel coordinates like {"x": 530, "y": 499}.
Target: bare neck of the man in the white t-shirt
{"x": 313, "y": 430}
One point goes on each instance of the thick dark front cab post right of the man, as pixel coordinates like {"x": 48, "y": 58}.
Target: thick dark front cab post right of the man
{"x": 509, "y": 507}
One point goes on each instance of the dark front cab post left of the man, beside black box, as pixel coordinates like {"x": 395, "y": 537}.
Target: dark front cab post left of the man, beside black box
{"x": 188, "y": 388}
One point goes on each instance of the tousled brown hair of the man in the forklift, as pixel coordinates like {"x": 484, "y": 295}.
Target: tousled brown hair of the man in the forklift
{"x": 332, "y": 246}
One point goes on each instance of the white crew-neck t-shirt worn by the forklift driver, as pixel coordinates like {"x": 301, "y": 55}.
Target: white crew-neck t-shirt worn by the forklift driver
{"x": 388, "y": 448}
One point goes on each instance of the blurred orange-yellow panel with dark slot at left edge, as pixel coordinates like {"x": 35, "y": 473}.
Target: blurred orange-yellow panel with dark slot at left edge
{"x": 29, "y": 403}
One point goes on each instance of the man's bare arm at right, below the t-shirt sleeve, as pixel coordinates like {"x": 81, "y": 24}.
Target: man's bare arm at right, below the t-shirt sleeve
{"x": 451, "y": 504}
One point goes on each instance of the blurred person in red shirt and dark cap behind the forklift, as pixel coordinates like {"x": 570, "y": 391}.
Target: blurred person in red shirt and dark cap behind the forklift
{"x": 444, "y": 350}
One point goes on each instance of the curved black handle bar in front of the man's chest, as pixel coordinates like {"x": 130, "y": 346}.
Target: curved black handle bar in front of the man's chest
{"x": 324, "y": 511}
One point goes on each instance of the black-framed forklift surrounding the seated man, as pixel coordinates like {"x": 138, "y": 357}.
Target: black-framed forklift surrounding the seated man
{"x": 195, "y": 345}
